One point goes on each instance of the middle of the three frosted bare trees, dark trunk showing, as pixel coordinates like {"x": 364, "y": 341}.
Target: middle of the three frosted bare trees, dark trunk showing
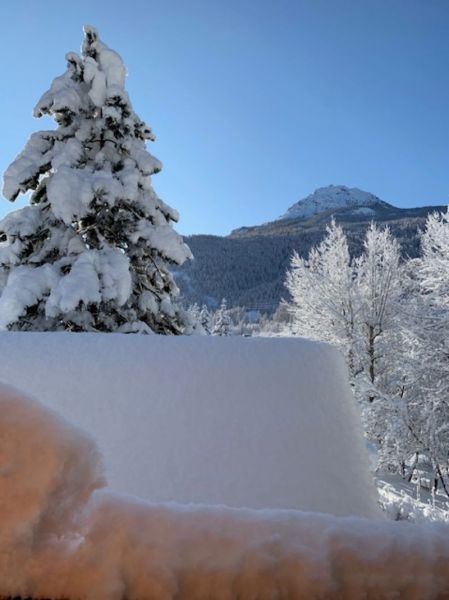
{"x": 382, "y": 383}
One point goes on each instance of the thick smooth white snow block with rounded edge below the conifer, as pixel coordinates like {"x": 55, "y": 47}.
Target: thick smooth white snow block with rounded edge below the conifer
{"x": 256, "y": 423}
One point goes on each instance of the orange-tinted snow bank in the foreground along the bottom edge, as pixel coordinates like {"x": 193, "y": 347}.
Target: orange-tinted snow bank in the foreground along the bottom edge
{"x": 57, "y": 541}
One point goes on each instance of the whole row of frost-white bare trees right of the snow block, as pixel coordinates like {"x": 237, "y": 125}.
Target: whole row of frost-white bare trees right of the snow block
{"x": 390, "y": 318}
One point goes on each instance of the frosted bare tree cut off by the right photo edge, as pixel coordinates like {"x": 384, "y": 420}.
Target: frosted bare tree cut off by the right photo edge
{"x": 428, "y": 348}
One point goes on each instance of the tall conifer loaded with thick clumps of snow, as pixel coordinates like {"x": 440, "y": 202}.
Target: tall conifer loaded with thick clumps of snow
{"x": 91, "y": 251}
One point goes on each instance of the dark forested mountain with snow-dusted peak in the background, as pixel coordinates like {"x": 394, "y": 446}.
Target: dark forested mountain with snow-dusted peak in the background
{"x": 248, "y": 266}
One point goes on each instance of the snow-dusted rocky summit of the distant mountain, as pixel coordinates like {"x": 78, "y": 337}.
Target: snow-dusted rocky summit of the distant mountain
{"x": 332, "y": 196}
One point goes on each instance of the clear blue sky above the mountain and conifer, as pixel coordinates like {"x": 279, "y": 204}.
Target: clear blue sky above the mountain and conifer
{"x": 255, "y": 103}
